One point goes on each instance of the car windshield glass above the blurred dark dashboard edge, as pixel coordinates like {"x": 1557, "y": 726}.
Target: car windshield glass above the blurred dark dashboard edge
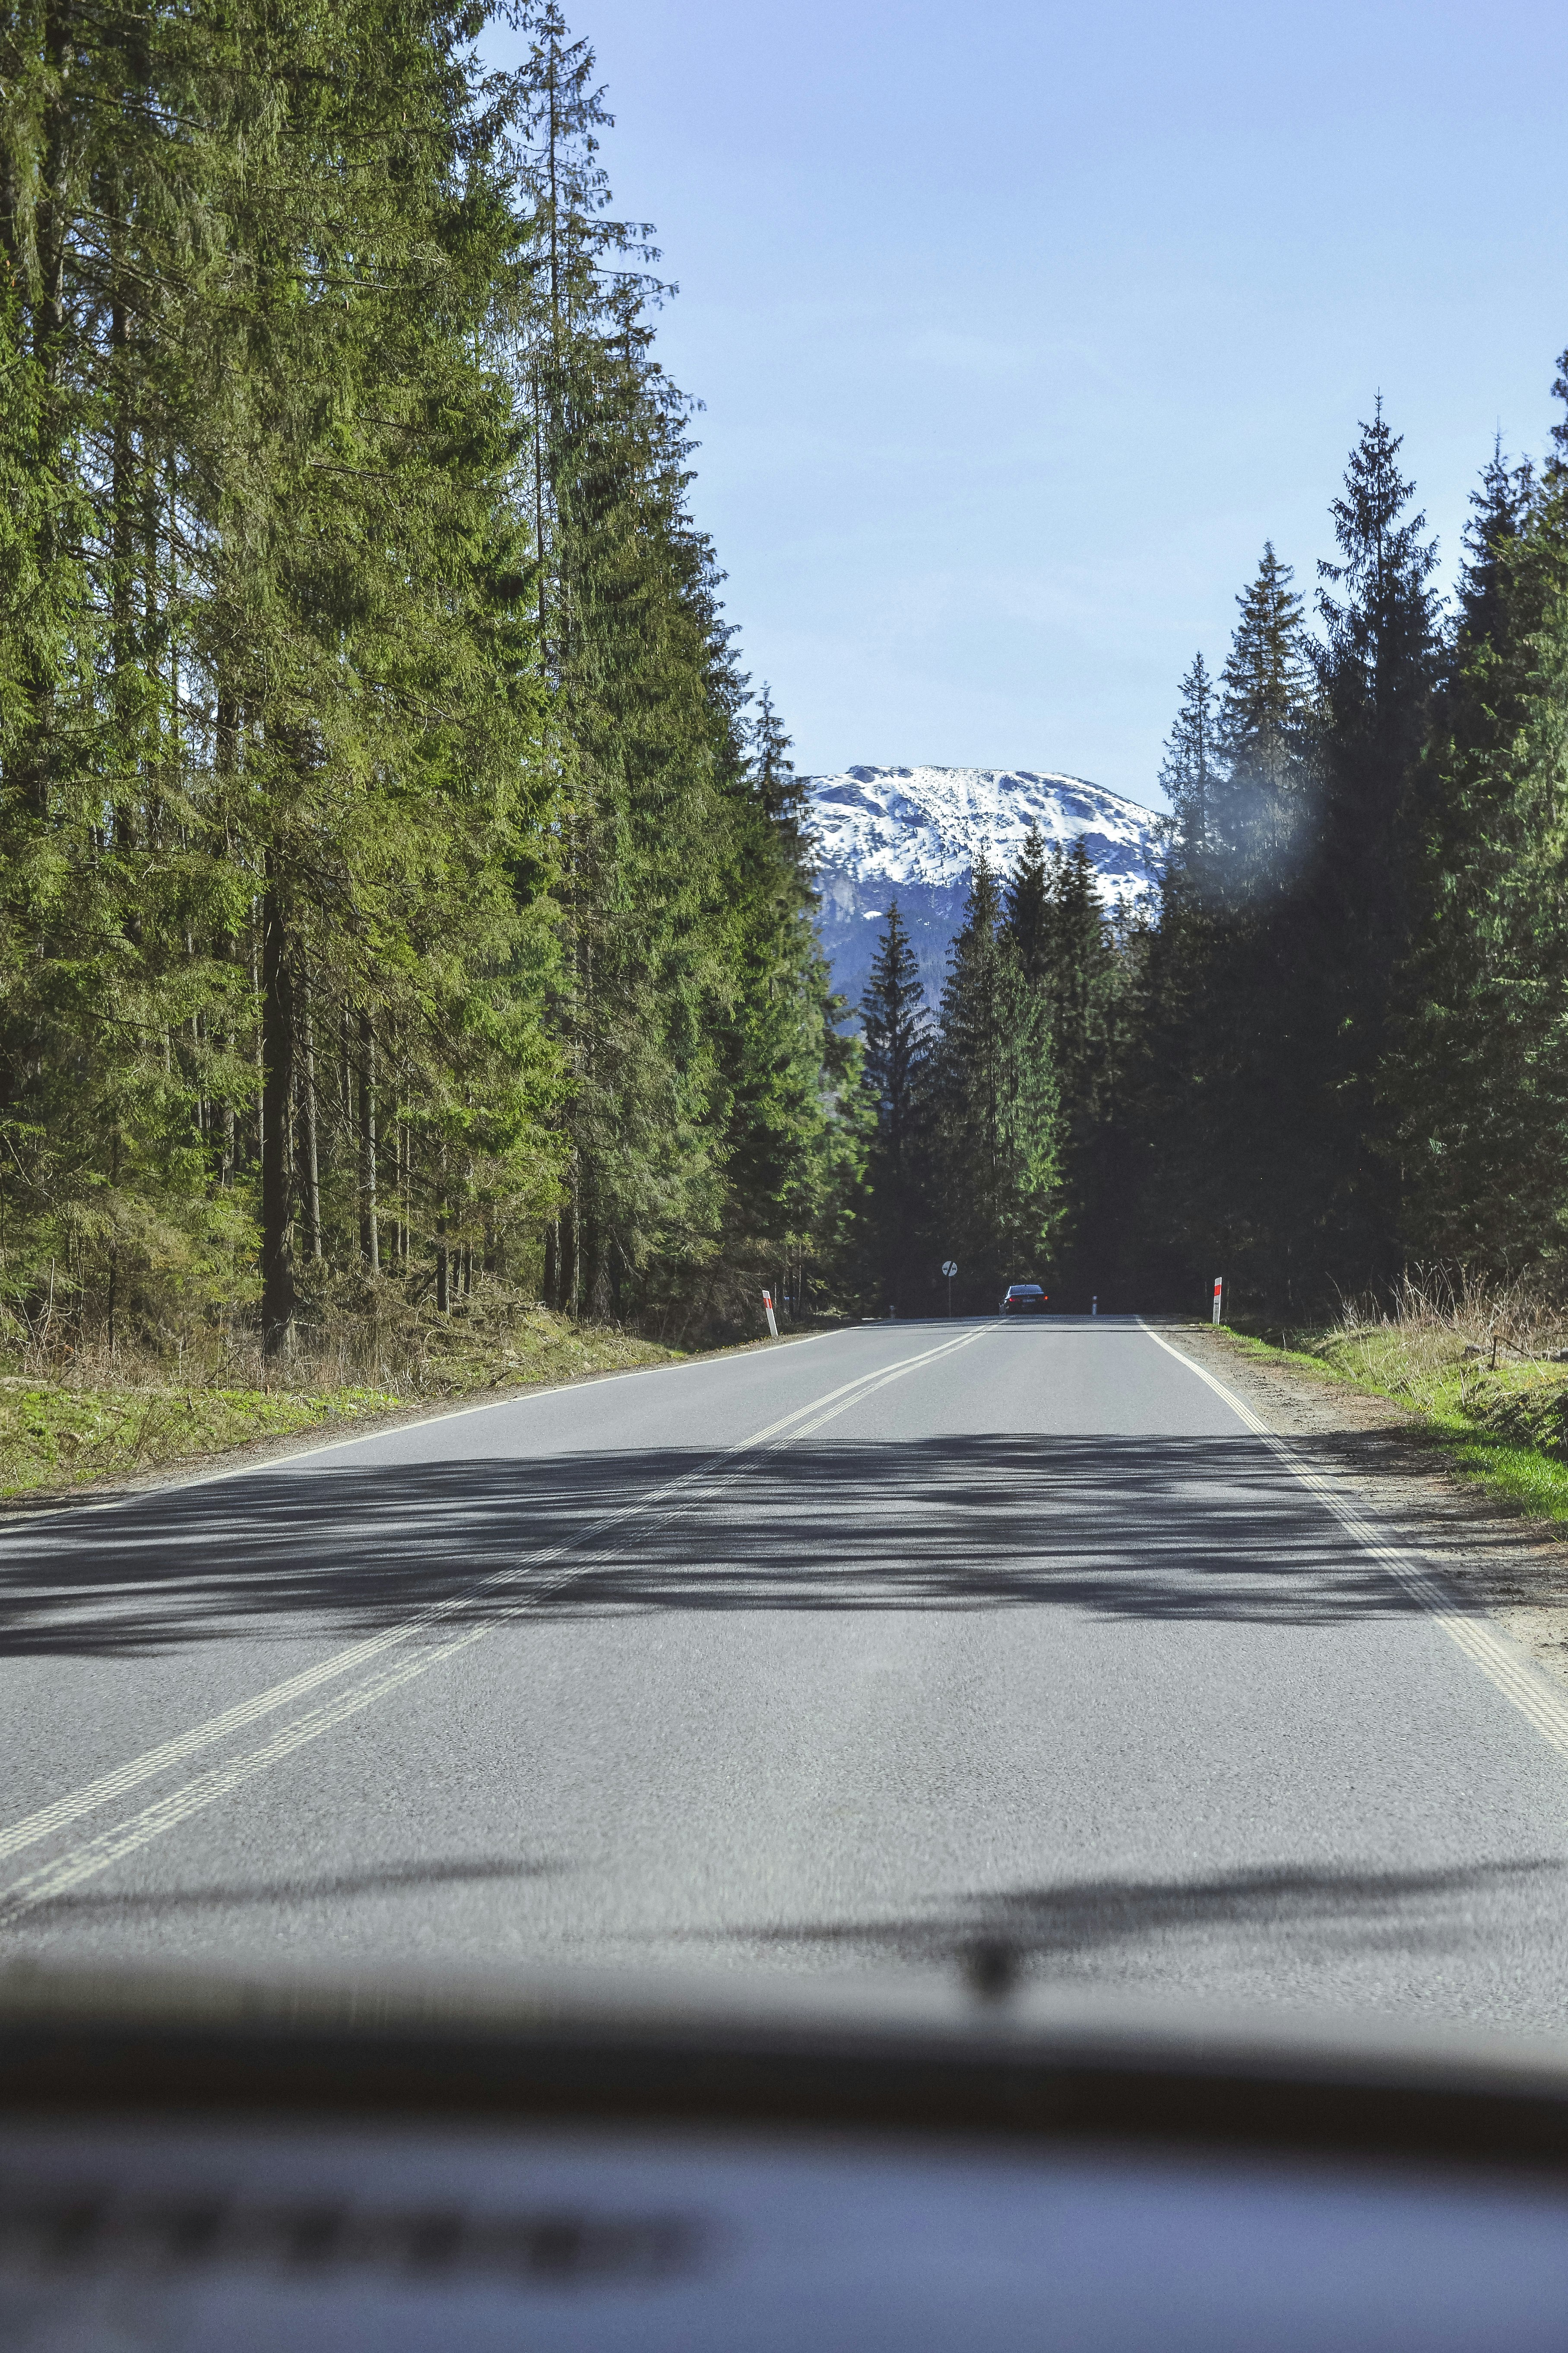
{"x": 521, "y": 1152}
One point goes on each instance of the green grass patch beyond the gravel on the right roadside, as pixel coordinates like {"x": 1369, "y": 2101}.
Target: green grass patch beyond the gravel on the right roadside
{"x": 1506, "y": 1427}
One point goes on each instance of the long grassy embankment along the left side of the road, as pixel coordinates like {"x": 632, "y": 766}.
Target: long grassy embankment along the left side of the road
{"x": 81, "y": 1420}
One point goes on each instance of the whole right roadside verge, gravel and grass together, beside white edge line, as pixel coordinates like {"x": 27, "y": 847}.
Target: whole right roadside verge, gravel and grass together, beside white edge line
{"x": 1473, "y": 1498}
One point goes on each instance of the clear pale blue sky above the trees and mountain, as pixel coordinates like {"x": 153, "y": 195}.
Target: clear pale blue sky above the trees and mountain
{"x": 1023, "y": 328}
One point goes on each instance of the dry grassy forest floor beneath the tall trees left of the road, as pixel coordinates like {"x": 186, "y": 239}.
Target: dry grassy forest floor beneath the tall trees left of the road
{"x": 114, "y": 1425}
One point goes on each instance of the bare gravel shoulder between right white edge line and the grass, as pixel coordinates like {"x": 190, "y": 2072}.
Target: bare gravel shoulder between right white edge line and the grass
{"x": 1510, "y": 1566}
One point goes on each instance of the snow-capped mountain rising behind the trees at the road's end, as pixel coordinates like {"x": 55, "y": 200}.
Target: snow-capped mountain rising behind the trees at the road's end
{"x": 912, "y": 834}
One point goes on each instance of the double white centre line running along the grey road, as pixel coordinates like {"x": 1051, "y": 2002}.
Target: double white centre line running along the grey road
{"x": 114, "y": 1785}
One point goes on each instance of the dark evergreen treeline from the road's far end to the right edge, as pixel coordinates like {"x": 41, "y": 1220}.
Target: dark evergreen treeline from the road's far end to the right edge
{"x": 1338, "y": 1044}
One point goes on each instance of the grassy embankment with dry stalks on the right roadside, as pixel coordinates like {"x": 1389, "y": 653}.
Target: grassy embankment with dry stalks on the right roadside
{"x": 1484, "y": 1375}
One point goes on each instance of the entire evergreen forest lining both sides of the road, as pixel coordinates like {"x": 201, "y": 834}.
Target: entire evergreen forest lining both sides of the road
{"x": 404, "y": 888}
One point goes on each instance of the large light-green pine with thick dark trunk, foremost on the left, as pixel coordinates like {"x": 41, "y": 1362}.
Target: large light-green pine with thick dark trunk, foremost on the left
{"x": 300, "y": 693}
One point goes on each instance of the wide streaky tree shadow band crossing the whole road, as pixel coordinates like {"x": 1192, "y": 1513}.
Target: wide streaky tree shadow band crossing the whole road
{"x": 1124, "y": 1528}
